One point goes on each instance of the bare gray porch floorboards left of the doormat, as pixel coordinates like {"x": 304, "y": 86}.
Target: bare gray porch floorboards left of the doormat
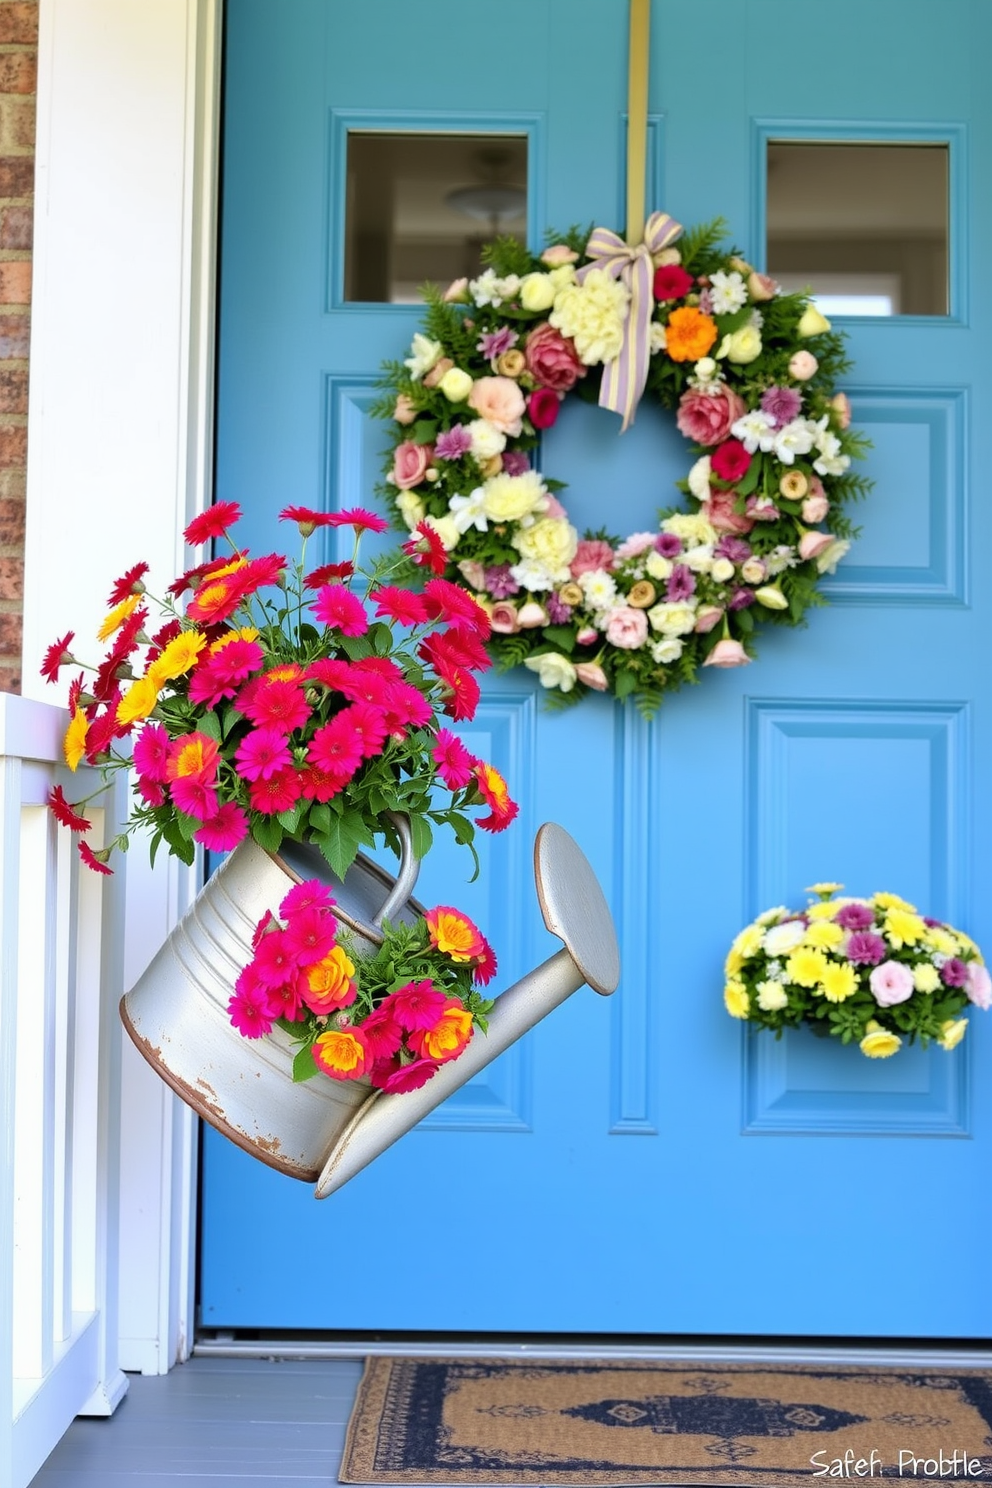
{"x": 212, "y": 1423}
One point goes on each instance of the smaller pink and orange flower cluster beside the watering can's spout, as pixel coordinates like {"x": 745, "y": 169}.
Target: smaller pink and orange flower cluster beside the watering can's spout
{"x": 393, "y": 1016}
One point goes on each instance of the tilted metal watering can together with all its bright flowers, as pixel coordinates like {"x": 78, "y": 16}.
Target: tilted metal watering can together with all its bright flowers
{"x": 307, "y": 1007}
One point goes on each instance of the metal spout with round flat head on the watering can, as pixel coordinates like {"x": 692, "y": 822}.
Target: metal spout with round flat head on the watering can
{"x": 576, "y": 911}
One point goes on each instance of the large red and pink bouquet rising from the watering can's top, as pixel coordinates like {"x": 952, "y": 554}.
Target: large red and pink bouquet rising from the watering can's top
{"x": 285, "y": 705}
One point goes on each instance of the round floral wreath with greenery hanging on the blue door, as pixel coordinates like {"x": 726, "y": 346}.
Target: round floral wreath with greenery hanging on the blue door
{"x": 752, "y": 374}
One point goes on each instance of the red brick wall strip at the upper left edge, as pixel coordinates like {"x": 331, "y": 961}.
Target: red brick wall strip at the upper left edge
{"x": 19, "y": 71}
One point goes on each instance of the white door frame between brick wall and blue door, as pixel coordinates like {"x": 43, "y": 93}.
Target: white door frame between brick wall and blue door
{"x": 120, "y": 458}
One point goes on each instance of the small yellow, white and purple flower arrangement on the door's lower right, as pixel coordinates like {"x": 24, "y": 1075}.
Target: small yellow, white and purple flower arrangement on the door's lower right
{"x": 872, "y": 972}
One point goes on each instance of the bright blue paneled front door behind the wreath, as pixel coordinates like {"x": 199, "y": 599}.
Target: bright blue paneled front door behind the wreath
{"x": 643, "y": 1166}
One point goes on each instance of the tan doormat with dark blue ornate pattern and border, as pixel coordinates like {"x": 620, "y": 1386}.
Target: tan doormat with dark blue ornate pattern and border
{"x": 481, "y": 1422}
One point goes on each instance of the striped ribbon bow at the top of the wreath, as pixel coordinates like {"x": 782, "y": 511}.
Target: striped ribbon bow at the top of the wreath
{"x": 624, "y": 379}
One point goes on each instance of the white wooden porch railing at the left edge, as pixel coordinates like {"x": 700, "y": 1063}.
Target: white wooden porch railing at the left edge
{"x": 60, "y": 1051}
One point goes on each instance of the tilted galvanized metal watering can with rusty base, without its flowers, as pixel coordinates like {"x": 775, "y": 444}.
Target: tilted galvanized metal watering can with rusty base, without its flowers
{"x": 325, "y": 1132}
